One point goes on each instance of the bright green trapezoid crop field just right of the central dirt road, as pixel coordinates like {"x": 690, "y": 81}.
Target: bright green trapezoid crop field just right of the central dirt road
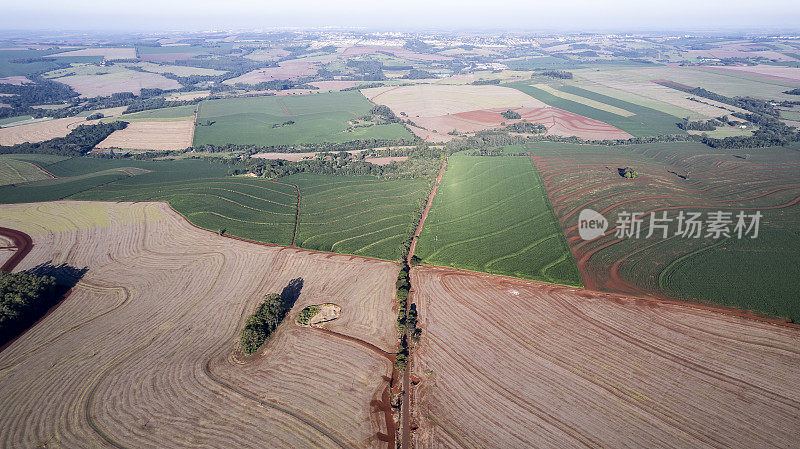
{"x": 491, "y": 214}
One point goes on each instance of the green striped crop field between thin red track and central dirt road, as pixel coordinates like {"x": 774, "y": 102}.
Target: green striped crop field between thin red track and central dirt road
{"x": 357, "y": 215}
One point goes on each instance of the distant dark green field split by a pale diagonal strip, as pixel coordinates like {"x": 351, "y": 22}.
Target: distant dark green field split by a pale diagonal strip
{"x": 645, "y": 122}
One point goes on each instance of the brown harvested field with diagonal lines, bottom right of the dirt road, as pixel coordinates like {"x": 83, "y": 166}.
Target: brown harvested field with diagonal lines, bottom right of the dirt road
{"x": 510, "y": 363}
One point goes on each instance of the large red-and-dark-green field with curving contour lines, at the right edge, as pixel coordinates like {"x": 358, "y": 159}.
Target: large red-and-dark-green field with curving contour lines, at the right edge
{"x": 757, "y": 274}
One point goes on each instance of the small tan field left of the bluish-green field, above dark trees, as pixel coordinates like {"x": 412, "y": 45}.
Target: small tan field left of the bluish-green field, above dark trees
{"x": 151, "y": 135}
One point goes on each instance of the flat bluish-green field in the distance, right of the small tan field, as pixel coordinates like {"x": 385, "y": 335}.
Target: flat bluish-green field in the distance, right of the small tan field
{"x": 317, "y": 118}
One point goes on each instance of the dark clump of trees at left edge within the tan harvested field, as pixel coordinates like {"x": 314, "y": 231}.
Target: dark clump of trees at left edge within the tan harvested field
{"x": 24, "y": 297}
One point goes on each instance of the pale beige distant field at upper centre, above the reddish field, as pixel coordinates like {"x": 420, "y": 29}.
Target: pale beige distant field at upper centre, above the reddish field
{"x": 427, "y": 100}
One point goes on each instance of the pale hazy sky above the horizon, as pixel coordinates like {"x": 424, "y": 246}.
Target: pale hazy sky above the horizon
{"x": 402, "y": 15}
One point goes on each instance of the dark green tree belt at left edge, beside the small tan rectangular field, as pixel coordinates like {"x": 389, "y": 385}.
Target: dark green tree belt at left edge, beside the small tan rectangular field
{"x": 78, "y": 142}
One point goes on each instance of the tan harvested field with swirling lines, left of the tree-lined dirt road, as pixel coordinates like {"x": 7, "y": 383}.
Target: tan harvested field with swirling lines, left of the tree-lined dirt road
{"x": 142, "y": 372}
